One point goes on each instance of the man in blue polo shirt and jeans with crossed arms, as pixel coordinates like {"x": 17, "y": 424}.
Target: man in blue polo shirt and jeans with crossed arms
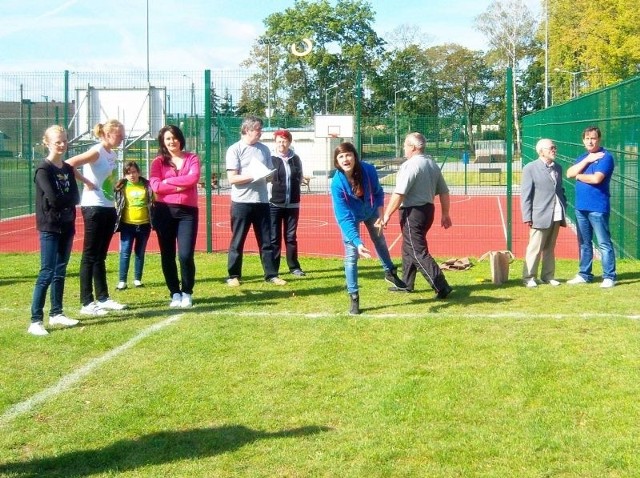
{"x": 593, "y": 171}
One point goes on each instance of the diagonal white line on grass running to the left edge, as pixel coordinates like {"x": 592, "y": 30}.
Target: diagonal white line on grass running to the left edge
{"x": 67, "y": 381}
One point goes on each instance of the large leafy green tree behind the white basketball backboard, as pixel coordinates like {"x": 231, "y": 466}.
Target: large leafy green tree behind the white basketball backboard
{"x": 343, "y": 43}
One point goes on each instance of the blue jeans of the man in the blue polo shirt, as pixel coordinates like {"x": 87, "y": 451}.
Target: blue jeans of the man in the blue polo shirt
{"x": 589, "y": 223}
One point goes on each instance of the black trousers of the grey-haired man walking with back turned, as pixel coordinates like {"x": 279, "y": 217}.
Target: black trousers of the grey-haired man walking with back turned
{"x": 415, "y": 222}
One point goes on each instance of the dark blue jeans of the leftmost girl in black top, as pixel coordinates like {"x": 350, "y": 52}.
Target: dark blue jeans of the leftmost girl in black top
{"x": 55, "y": 250}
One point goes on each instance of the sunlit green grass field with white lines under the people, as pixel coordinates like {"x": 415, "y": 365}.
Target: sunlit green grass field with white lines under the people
{"x": 265, "y": 381}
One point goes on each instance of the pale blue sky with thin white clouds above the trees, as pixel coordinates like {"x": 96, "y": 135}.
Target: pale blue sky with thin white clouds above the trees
{"x": 188, "y": 35}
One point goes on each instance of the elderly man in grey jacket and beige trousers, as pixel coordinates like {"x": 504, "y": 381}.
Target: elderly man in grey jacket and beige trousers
{"x": 543, "y": 205}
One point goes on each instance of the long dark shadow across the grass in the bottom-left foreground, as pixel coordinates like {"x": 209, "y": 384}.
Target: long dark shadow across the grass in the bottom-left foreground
{"x": 150, "y": 450}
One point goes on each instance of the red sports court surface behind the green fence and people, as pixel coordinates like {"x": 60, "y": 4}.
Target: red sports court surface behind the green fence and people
{"x": 479, "y": 225}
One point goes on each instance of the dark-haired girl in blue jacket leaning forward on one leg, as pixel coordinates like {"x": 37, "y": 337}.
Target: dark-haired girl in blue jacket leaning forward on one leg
{"x": 358, "y": 197}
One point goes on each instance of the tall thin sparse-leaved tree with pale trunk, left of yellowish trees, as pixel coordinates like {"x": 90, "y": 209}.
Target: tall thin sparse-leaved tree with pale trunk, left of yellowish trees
{"x": 510, "y": 28}
